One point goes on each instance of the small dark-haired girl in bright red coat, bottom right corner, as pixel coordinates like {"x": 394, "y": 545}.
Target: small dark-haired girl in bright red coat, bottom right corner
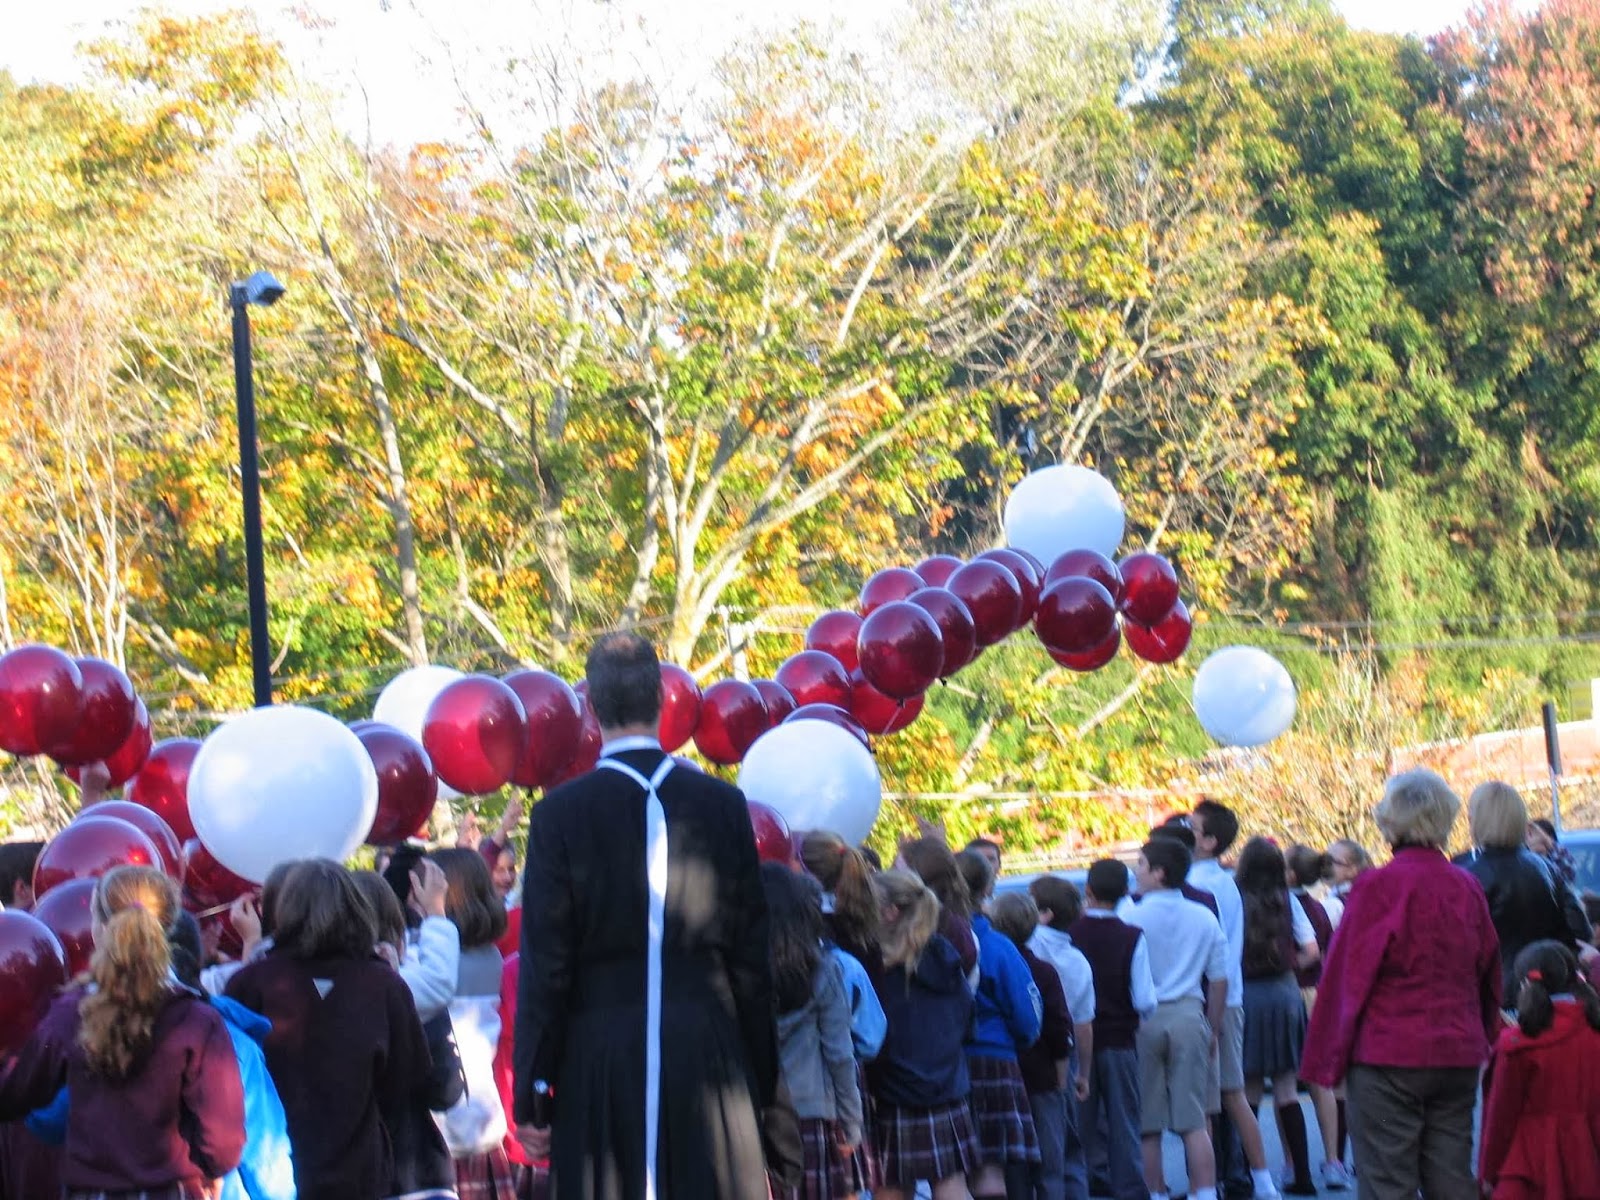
{"x": 1542, "y": 1121}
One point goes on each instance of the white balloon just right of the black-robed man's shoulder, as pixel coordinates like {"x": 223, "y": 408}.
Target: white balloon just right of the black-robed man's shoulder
{"x": 815, "y": 775}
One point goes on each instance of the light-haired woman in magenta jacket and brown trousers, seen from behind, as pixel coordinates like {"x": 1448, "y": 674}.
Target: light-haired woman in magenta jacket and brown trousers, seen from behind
{"x": 1409, "y": 1004}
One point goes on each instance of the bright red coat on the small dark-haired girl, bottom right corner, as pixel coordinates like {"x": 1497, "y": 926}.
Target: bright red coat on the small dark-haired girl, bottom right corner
{"x": 1542, "y": 1124}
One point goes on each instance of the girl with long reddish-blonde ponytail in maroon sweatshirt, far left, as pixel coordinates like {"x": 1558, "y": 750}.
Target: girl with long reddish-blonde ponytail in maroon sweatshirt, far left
{"x": 158, "y": 1103}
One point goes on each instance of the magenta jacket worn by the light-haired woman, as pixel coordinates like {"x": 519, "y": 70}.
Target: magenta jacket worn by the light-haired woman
{"x": 1414, "y": 975}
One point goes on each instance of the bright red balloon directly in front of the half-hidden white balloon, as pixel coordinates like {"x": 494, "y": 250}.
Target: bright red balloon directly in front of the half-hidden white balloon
{"x": 476, "y": 732}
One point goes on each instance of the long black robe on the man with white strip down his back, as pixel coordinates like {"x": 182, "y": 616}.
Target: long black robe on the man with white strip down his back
{"x": 582, "y": 1009}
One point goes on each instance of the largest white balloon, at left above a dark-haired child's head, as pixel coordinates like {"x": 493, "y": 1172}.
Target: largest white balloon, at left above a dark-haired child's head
{"x": 279, "y": 785}
